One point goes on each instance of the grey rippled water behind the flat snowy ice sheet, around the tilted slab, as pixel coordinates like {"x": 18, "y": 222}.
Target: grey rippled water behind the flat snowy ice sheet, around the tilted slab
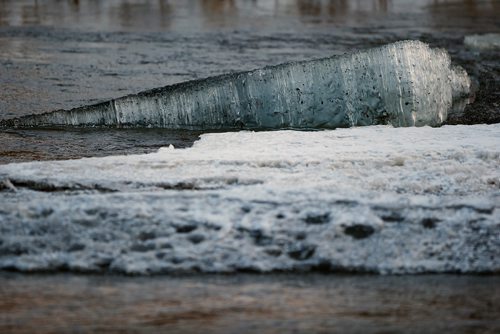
{"x": 65, "y": 54}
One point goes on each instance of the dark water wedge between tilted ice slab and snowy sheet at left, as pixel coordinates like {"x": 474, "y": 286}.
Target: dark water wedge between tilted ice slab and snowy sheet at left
{"x": 62, "y": 143}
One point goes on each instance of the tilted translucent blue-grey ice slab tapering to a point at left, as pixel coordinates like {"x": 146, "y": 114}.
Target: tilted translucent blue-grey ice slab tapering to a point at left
{"x": 402, "y": 84}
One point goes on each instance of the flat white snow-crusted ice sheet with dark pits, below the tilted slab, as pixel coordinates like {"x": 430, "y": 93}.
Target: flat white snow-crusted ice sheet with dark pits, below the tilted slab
{"x": 376, "y": 199}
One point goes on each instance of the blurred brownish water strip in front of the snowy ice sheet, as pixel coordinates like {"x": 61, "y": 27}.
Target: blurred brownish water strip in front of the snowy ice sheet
{"x": 249, "y": 304}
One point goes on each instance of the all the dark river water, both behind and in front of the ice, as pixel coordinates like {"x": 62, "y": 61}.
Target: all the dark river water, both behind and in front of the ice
{"x": 62, "y": 54}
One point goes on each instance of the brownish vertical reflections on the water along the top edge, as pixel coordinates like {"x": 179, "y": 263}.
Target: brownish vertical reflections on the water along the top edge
{"x": 178, "y": 15}
